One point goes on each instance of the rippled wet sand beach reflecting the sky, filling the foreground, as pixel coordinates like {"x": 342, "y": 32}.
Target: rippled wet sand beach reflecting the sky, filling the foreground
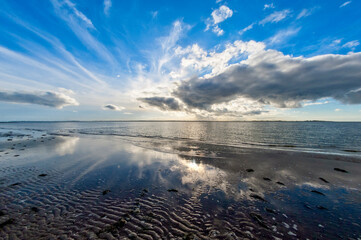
{"x": 108, "y": 187}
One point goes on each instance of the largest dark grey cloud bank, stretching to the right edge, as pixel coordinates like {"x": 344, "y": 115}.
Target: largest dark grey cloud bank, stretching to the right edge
{"x": 272, "y": 78}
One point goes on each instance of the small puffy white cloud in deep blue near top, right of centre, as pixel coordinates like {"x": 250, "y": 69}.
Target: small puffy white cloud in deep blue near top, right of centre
{"x": 218, "y": 16}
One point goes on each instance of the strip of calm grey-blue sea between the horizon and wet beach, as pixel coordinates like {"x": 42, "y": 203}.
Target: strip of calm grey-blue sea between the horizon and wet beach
{"x": 322, "y": 137}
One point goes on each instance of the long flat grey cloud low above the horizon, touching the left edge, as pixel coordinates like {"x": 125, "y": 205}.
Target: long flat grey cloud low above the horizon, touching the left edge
{"x": 50, "y": 99}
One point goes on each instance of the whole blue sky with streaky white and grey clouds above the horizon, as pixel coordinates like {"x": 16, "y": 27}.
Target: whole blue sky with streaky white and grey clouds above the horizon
{"x": 180, "y": 60}
